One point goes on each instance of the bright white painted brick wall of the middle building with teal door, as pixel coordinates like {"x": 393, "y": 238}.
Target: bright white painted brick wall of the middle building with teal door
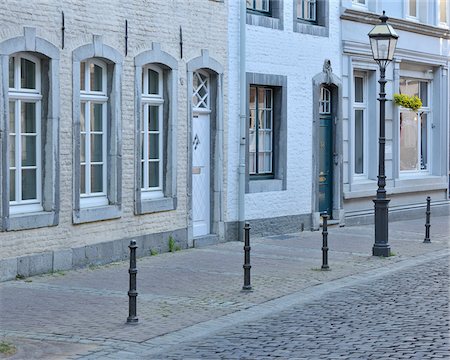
{"x": 299, "y": 57}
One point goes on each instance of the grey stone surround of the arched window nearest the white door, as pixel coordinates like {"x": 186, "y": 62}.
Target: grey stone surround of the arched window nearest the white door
{"x": 169, "y": 65}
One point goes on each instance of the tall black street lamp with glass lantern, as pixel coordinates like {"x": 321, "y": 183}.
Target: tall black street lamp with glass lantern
{"x": 383, "y": 40}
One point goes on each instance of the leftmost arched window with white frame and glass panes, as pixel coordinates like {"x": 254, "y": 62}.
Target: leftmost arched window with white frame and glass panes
{"x": 25, "y": 156}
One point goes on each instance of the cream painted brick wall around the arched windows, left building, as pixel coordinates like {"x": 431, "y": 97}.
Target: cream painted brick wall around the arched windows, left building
{"x": 204, "y": 27}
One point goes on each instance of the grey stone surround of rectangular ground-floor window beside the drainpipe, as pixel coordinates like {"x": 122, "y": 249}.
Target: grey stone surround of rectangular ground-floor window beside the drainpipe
{"x": 278, "y": 183}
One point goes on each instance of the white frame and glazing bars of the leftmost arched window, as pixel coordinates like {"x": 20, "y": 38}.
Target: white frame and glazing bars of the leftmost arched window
{"x": 17, "y": 95}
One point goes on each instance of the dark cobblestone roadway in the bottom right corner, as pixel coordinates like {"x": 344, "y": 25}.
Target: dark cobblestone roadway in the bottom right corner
{"x": 404, "y": 315}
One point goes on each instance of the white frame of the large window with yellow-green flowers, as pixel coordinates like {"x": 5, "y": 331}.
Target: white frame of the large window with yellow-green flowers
{"x": 424, "y": 109}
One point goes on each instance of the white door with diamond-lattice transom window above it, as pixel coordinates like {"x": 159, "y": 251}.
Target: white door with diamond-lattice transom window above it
{"x": 201, "y": 155}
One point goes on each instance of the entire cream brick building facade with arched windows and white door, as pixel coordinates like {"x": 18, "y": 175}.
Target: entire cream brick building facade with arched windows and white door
{"x": 97, "y": 120}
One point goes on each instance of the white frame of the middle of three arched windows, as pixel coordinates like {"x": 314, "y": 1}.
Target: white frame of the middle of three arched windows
{"x": 88, "y": 97}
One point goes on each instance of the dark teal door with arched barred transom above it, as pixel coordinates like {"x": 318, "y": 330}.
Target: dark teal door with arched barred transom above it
{"x": 325, "y": 152}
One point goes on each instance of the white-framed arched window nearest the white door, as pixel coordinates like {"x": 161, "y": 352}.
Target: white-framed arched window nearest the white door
{"x": 152, "y": 130}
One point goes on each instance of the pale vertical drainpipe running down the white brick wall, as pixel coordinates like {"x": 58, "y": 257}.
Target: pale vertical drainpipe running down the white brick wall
{"x": 242, "y": 118}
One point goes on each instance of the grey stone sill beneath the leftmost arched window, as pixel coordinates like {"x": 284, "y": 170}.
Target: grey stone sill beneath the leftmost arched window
{"x": 35, "y": 220}
